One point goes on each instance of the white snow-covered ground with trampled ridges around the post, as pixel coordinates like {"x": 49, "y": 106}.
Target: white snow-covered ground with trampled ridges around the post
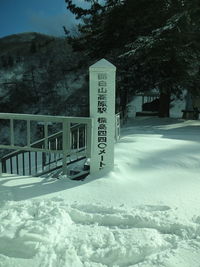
{"x": 146, "y": 212}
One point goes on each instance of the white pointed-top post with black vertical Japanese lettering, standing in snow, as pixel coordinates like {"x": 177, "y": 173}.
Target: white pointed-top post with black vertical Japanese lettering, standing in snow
{"x": 102, "y": 109}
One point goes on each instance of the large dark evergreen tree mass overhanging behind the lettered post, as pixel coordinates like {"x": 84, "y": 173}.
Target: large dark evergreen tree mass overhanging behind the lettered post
{"x": 155, "y": 44}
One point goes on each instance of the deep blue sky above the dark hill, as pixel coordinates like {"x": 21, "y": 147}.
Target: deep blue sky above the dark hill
{"x": 45, "y": 16}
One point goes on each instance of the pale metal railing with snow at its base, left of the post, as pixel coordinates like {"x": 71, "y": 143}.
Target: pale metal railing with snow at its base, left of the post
{"x": 73, "y": 138}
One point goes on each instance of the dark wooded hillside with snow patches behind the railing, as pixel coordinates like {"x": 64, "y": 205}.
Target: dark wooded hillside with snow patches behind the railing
{"x": 41, "y": 74}
